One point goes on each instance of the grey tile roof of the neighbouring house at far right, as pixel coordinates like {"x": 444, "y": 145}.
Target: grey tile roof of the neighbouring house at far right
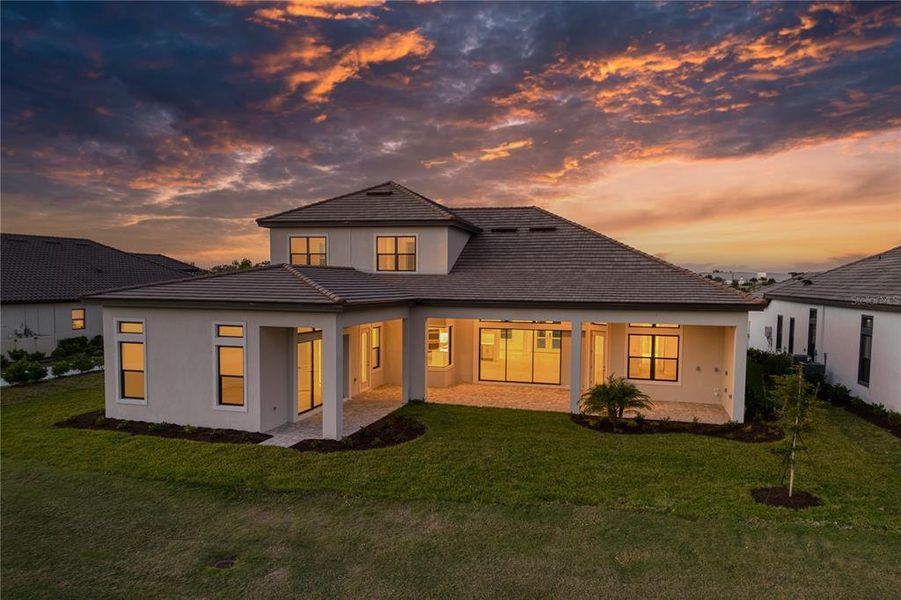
{"x": 873, "y": 282}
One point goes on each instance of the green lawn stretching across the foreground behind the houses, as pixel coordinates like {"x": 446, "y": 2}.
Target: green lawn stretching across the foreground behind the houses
{"x": 488, "y": 502}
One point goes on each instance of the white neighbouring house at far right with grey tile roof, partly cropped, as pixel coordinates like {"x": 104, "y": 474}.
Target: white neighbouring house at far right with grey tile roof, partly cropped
{"x": 848, "y": 318}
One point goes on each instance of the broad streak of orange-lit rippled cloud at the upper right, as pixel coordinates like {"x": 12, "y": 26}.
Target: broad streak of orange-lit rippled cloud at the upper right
{"x": 651, "y": 84}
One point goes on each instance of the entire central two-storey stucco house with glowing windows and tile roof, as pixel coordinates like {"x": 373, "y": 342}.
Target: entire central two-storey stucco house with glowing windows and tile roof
{"x": 384, "y": 288}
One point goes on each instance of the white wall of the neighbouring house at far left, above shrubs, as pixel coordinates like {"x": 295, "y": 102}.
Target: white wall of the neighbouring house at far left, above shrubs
{"x": 49, "y": 322}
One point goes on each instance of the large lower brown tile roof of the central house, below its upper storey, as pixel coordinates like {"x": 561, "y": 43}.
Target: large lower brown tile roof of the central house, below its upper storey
{"x": 522, "y": 255}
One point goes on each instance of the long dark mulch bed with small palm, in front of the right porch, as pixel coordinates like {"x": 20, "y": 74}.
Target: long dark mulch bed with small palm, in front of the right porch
{"x": 755, "y": 432}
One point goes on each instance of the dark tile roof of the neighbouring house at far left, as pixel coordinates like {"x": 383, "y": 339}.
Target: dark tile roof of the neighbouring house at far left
{"x": 37, "y": 268}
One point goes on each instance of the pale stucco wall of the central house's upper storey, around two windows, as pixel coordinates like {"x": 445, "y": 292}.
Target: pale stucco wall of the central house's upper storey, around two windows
{"x": 355, "y": 246}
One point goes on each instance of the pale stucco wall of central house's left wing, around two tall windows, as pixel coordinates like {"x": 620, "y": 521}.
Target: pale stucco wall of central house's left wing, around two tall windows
{"x": 180, "y": 361}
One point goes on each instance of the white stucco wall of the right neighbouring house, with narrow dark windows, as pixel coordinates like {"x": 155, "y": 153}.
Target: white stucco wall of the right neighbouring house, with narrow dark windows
{"x": 838, "y": 345}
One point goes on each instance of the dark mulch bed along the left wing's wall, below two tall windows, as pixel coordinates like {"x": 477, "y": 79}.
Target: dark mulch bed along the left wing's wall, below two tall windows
{"x": 96, "y": 420}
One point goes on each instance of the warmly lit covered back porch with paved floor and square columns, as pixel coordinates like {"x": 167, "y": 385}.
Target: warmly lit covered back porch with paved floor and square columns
{"x": 691, "y": 364}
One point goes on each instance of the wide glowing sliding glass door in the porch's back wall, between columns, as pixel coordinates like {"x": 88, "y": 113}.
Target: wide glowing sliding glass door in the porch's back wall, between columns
{"x": 520, "y": 355}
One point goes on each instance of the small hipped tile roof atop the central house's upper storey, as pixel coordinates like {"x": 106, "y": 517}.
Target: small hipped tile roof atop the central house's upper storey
{"x": 385, "y": 204}
